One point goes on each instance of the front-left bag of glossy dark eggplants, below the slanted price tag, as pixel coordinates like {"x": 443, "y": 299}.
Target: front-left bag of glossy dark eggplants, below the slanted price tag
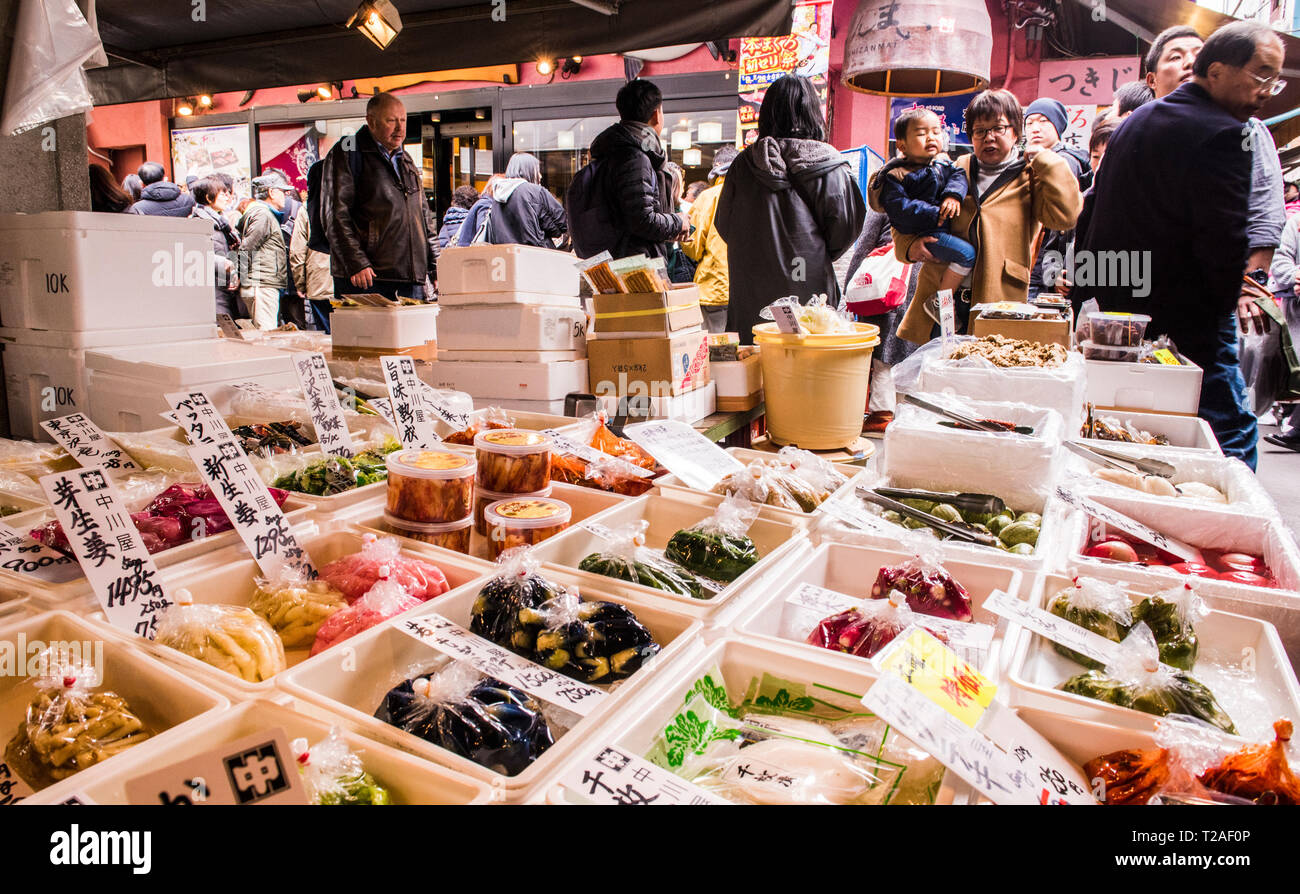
{"x": 479, "y": 718}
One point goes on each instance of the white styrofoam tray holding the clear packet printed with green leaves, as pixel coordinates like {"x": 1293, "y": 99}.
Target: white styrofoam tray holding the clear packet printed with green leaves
{"x": 833, "y": 680}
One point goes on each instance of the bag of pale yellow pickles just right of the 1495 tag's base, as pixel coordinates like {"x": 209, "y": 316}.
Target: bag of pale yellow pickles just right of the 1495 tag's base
{"x": 231, "y": 639}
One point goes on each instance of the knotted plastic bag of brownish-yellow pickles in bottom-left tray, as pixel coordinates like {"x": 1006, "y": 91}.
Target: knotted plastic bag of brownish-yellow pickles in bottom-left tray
{"x": 68, "y": 727}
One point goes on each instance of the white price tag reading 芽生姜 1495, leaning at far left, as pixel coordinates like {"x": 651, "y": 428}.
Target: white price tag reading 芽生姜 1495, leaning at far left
{"x": 110, "y": 549}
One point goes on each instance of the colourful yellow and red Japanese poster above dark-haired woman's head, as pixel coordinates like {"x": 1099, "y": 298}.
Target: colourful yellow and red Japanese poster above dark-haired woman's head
{"x": 807, "y": 51}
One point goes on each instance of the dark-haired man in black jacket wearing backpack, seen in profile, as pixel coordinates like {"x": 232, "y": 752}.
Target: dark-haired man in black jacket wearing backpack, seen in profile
{"x": 618, "y": 202}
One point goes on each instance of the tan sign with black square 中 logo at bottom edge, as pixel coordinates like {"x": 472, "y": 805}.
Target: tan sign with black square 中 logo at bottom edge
{"x": 254, "y": 770}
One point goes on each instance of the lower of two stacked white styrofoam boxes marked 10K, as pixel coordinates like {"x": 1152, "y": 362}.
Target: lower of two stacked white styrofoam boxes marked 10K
{"x": 45, "y": 371}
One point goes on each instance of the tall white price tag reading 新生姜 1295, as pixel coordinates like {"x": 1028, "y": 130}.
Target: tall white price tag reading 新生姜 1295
{"x": 228, "y": 471}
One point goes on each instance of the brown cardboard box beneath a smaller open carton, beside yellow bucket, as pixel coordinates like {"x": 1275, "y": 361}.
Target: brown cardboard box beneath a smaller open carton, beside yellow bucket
{"x": 661, "y": 366}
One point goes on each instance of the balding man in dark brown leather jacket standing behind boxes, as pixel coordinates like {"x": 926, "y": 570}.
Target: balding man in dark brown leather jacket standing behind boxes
{"x": 382, "y": 233}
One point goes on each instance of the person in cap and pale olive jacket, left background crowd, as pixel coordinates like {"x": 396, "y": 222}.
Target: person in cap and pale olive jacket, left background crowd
{"x": 265, "y": 259}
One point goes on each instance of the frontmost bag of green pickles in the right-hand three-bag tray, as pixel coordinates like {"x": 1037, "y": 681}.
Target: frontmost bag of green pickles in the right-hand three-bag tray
{"x": 1138, "y": 680}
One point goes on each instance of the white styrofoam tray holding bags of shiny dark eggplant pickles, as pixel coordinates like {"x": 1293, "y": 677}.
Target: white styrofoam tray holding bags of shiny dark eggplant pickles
{"x": 385, "y": 657}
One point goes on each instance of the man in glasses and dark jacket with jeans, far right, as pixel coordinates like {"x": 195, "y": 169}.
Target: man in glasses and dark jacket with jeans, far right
{"x": 1173, "y": 198}
